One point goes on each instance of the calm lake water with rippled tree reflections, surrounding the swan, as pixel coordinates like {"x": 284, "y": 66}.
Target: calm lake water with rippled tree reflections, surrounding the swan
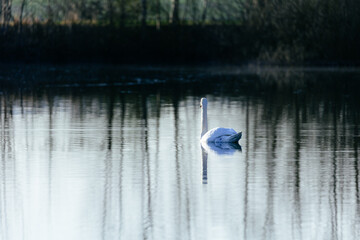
{"x": 103, "y": 152}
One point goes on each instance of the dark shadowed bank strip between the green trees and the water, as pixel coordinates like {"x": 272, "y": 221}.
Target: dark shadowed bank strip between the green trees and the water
{"x": 171, "y": 45}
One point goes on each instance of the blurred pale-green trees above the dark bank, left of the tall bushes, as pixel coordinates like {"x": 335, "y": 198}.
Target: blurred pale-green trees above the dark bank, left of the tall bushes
{"x": 121, "y": 12}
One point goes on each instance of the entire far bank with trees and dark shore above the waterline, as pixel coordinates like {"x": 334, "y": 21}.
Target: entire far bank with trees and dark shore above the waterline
{"x": 273, "y": 31}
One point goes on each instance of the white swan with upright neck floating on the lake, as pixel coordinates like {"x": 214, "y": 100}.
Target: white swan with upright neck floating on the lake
{"x": 215, "y": 135}
